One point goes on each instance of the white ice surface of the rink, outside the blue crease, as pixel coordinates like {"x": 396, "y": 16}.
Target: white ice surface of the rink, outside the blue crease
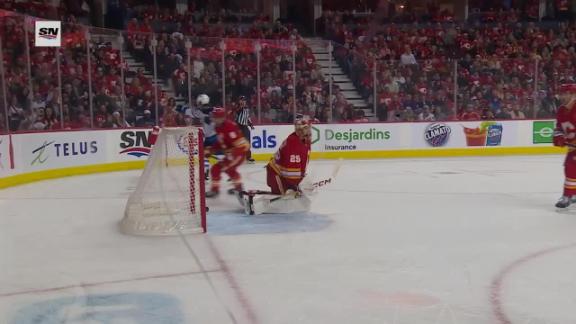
{"x": 467, "y": 241}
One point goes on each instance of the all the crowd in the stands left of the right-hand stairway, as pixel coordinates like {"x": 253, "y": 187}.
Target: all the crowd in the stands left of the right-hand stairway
{"x": 116, "y": 103}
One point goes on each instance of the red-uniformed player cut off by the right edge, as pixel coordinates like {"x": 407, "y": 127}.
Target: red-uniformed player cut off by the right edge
{"x": 565, "y": 135}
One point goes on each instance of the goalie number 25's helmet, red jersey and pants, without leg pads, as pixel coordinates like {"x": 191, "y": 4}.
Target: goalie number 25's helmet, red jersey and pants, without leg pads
{"x": 287, "y": 168}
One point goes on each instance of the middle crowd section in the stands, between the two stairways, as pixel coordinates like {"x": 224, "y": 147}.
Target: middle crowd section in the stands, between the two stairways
{"x": 278, "y": 82}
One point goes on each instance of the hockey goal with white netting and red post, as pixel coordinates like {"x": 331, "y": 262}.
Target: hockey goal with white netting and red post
{"x": 169, "y": 198}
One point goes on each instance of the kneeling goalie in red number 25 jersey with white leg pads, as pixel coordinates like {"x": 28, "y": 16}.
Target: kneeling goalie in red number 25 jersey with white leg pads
{"x": 285, "y": 173}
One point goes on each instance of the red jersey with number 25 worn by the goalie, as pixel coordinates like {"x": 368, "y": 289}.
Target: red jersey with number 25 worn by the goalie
{"x": 291, "y": 159}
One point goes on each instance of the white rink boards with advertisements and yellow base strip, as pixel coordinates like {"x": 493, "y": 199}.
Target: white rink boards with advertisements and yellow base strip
{"x": 36, "y": 156}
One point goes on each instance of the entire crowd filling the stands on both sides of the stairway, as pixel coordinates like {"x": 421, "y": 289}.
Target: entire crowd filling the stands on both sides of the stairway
{"x": 505, "y": 68}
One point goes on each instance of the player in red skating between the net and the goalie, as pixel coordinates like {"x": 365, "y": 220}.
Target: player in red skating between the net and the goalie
{"x": 232, "y": 143}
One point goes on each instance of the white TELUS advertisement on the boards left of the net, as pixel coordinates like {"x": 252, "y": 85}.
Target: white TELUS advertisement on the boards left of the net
{"x": 56, "y": 150}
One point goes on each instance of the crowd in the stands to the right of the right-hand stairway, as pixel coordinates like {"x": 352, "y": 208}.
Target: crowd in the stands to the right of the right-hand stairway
{"x": 505, "y": 70}
